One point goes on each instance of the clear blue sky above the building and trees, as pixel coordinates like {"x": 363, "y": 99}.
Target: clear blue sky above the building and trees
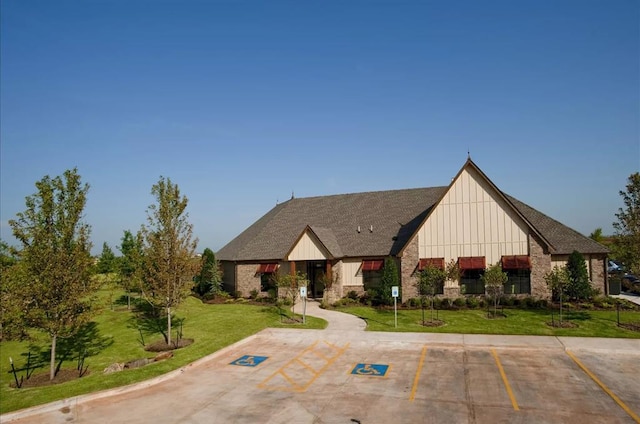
{"x": 242, "y": 103}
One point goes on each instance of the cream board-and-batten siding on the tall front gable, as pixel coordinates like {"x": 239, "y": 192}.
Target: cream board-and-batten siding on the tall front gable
{"x": 472, "y": 220}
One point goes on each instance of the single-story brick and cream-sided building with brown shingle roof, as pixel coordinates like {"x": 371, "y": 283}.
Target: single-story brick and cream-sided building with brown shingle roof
{"x": 346, "y": 238}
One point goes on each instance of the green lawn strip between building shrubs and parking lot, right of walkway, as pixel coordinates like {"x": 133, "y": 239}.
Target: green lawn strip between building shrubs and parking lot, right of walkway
{"x": 516, "y": 322}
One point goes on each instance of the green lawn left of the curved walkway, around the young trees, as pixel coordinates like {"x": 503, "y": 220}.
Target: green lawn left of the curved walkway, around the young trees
{"x": 211, "y": 326}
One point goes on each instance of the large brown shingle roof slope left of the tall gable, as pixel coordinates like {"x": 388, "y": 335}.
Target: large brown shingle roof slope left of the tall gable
{"x": 335, "y": 220}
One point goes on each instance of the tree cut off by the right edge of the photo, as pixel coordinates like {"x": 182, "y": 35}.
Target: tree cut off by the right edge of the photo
{"x": 626, "y": 240}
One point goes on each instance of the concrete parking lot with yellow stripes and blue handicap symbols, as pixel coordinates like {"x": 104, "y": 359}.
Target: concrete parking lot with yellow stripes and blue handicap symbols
{"x": 298, "y": 376}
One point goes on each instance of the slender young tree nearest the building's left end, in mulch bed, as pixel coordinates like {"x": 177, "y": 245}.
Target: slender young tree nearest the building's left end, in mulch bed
{"x": 168, "y": 250}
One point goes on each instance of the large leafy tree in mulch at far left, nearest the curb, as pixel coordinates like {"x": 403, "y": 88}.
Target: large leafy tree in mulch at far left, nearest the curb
{"x": 56, "y": 258}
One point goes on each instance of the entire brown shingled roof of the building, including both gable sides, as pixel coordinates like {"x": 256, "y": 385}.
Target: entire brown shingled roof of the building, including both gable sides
{"x": 375, "y": 224}
